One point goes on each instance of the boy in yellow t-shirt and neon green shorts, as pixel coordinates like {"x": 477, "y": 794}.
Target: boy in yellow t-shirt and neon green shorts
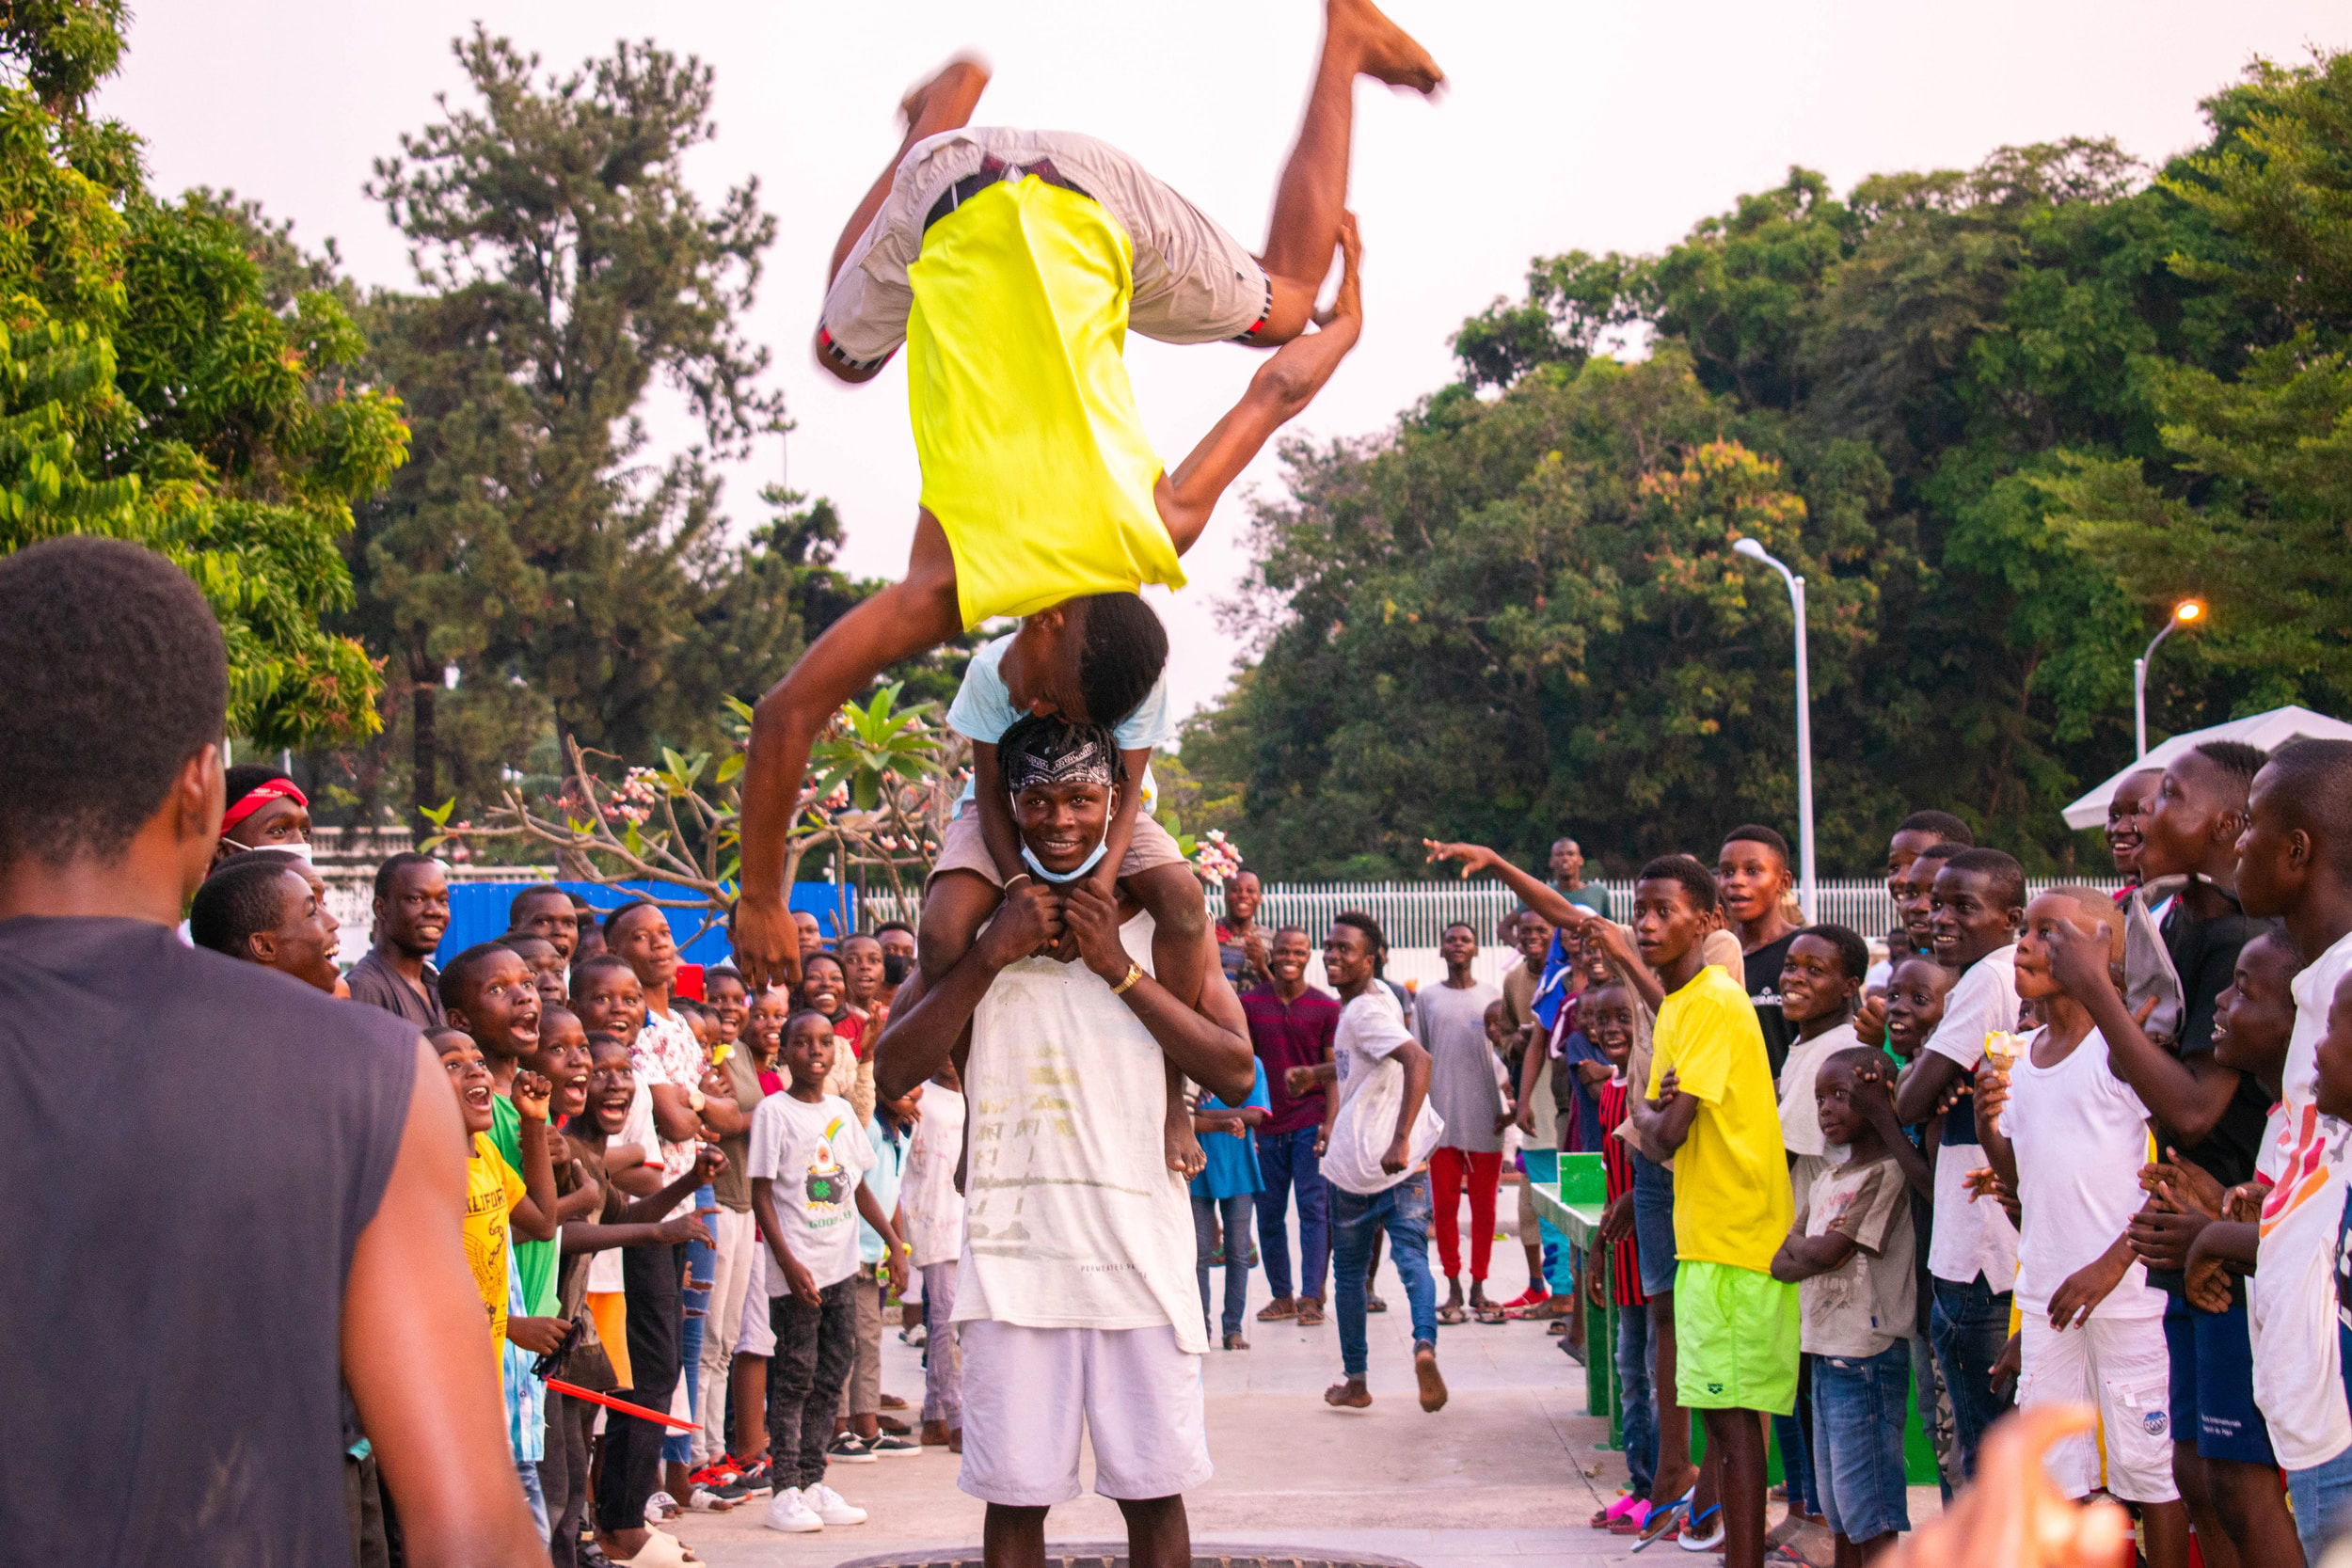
{"x": 1711, "y": 1101}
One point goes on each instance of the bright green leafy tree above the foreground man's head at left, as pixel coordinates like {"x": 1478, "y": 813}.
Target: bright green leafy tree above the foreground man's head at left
{"x": 156, "y": 391}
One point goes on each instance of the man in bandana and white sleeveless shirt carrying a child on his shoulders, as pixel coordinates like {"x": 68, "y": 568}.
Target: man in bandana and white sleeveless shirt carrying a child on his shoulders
{"x": 1076, "y": 1296}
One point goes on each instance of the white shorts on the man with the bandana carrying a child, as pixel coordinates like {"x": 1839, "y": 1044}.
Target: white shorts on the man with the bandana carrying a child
{"x": 1029, "y": 1393}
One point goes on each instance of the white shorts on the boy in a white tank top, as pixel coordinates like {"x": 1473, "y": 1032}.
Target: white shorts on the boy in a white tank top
{"x": 2123, "y": 1367}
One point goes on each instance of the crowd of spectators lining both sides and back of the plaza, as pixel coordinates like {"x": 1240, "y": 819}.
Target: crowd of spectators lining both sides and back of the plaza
{"x": 2031, "y": 1155}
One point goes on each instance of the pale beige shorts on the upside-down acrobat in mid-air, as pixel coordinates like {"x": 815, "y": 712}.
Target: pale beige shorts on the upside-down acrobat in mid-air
{"x": 1194, "y": 283}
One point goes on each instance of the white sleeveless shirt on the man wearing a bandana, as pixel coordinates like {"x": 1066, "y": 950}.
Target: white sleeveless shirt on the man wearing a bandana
{"x": 1071, "y": 1212}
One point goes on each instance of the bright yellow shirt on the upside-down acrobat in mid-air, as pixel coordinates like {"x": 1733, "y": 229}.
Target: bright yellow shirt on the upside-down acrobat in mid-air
{"x": 1034, "y": 455}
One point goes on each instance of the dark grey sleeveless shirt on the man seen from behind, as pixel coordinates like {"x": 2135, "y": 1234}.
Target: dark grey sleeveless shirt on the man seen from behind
{"x": 196, "y": 1148}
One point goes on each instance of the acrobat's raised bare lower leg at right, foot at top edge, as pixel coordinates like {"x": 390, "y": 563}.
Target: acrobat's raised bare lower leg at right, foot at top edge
{"x": 1314, "y": 194}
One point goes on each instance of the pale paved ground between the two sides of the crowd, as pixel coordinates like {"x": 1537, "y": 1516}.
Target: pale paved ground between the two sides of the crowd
{"x": 1509, "y": 1473}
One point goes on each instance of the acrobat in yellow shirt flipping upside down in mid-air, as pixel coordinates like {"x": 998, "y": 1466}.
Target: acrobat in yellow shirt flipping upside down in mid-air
{"x": 1013, "y": 264}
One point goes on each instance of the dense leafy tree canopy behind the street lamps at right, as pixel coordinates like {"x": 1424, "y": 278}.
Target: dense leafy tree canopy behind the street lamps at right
{"x": 1998, "y": 417}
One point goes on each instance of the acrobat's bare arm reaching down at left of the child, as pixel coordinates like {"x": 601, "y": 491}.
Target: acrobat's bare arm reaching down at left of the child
{"x": 909, "y": 617}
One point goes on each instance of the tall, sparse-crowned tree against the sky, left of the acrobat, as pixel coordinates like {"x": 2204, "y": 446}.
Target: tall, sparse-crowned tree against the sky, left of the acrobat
{"x": 535, "y": 547}
